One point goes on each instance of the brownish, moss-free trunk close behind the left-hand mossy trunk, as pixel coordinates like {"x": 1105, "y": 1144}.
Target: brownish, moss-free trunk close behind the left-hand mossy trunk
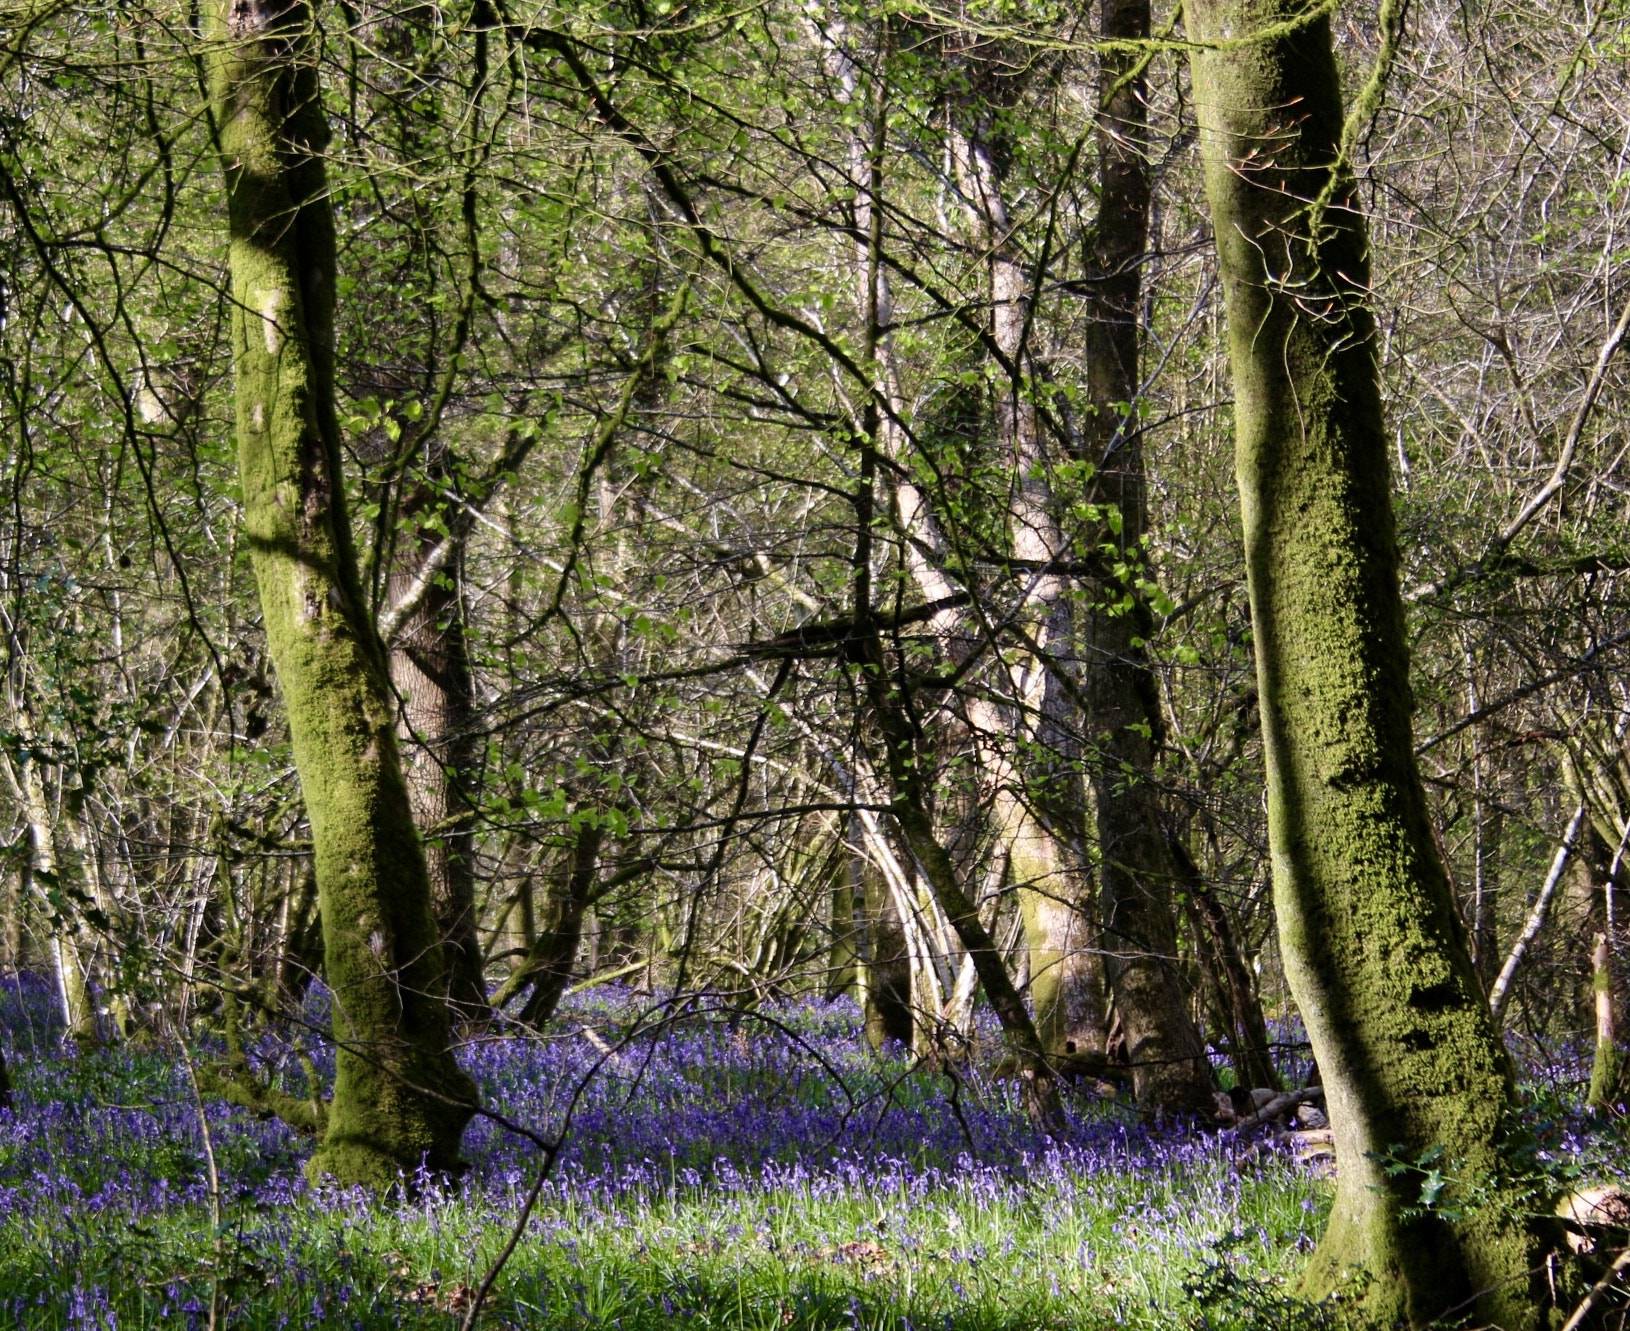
{"x": 433, "y": 677}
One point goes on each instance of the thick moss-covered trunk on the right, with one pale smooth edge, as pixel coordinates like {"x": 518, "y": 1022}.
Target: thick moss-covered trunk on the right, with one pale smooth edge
{"x": 1373, "y": 947}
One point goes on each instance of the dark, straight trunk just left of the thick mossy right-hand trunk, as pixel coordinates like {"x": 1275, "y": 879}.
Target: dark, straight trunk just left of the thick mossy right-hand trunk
{"x": 1137, "y": 874}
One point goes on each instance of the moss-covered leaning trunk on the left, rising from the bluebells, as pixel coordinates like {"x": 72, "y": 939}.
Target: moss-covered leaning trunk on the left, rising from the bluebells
{"x": 400, "y": 1099}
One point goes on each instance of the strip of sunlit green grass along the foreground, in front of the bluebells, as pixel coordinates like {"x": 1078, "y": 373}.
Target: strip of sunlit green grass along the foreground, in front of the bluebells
{"x": 1116, "y": 1250}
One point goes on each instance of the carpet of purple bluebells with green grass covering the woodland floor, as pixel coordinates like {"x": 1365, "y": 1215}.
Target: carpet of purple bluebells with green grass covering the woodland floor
{"x": 723, "y": 1169}
